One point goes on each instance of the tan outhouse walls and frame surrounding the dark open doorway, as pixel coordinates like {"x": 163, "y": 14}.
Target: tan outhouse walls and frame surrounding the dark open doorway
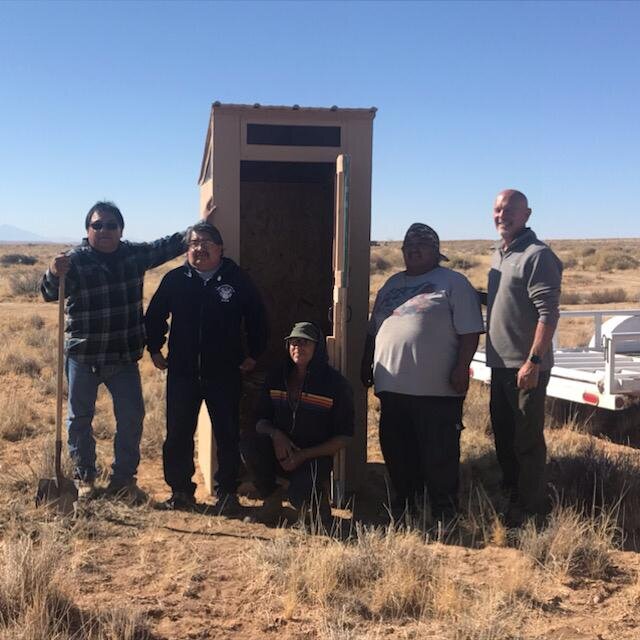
{"x": 226, "y": 149}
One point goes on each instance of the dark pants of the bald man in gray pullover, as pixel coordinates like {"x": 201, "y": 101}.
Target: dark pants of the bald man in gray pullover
{"x": 517, "y": 419}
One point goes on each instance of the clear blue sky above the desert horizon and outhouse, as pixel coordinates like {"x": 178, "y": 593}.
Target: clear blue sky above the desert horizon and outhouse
{"x": 111, "y": 100}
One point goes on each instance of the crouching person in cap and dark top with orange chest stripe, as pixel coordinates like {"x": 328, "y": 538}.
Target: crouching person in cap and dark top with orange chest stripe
{"x": 305, "y": 416}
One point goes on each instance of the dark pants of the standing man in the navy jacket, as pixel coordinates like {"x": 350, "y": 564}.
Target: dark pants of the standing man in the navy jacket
{"x": 184, "y": 398}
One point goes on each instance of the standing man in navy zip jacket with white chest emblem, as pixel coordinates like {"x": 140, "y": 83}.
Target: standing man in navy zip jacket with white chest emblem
{"x": 212, "y": 302}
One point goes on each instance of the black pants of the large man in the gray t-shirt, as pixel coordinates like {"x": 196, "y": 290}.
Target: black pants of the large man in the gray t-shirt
{"x": 420, "y": 441}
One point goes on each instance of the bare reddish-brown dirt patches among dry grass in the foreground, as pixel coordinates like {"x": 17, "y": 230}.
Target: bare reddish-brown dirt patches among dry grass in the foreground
{"x": 187, "y": 575}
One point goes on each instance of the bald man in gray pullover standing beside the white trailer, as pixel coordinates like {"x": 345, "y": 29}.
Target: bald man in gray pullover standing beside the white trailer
{"x": 522, "y": 314}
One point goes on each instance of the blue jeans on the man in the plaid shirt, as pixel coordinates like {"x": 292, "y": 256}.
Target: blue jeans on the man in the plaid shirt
{"x": 123, "y": 383}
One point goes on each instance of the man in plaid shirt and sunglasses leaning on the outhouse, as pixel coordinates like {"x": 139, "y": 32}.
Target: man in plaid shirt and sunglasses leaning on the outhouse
{"x": 105, "y": 337}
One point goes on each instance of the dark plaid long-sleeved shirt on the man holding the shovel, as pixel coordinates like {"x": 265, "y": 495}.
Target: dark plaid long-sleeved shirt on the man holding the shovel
{"x": 103, "y": 311}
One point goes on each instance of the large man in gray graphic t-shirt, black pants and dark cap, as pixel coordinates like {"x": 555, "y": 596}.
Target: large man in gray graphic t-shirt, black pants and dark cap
{"x": 422, "y": 334}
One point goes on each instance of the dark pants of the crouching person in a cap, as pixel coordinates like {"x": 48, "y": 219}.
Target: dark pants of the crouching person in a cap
{"x": 307, "y": 483}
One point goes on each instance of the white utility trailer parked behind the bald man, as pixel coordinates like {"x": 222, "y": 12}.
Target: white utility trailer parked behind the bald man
{"x": 605, "y": 374}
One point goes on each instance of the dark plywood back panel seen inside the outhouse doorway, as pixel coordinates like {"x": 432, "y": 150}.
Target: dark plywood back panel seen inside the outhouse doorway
{"x": 286, "y": 232}
